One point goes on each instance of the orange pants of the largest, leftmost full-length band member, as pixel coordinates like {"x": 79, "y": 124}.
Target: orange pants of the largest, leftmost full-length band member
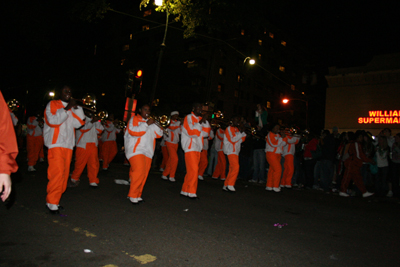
{"x": 59, "y": 159}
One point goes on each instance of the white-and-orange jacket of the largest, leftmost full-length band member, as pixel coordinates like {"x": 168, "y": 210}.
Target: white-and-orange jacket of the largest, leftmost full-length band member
{"x": 59, "y": 124}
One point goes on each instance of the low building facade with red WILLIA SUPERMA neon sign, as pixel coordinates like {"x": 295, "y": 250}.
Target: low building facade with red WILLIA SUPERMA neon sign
{"x": 365, "y": 97}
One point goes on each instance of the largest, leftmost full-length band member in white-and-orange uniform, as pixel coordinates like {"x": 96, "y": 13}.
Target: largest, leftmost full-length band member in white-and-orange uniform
{"x": 61, "y": 118}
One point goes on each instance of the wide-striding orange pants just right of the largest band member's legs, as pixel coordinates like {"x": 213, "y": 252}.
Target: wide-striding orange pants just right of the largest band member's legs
{"x": 90, "y": 157}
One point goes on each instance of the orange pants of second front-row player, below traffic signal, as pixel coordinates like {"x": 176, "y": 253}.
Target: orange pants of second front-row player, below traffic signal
{"x": 140, "y": 167}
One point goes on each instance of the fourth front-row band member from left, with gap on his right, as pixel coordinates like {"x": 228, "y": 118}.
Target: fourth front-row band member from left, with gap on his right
{"x": 234, "y": 136}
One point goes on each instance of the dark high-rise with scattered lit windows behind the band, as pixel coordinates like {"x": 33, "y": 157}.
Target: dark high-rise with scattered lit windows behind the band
{"x": 216, "y": 68}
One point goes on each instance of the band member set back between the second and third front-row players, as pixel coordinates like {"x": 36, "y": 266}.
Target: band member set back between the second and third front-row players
{"x": 171, "y": 143}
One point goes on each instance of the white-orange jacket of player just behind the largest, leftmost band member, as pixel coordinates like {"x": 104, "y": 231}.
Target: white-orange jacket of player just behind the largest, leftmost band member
{"x": 88, "y": 133}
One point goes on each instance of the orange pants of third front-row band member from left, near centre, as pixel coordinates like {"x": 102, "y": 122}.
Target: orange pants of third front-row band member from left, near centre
{"x": 192, "y": 160}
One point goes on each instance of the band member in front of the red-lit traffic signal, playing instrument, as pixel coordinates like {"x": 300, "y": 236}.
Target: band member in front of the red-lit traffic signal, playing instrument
{"x": 140, "y": 144}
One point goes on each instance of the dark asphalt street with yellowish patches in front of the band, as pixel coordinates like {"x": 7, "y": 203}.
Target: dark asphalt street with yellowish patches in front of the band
{"x": 251, "y": 227}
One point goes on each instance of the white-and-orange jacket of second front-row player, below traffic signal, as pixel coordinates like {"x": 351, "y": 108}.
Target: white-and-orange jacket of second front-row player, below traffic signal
{"x": 140, "y": 138}
